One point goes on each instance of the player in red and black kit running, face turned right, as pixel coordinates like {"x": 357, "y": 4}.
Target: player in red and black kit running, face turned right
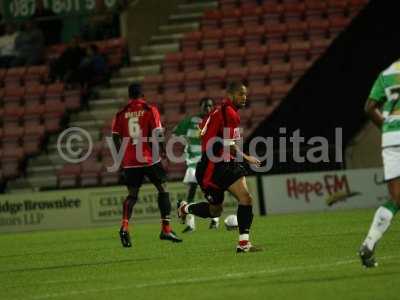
{"x": 220, "y": 168}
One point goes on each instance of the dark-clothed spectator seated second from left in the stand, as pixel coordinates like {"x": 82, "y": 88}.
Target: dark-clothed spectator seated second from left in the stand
{"x": 29, "y": 46}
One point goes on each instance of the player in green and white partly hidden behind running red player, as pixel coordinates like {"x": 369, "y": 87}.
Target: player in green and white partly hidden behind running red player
{"x": 189, "y": 129}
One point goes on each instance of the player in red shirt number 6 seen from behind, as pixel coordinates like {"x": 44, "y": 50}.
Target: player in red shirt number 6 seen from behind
{"x": 139, "y": 123}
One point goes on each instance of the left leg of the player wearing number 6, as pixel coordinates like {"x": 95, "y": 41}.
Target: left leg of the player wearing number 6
{"x": 133, "y": 180}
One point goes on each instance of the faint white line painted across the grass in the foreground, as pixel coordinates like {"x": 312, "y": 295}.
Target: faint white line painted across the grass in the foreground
{"x": 204, "y": 279}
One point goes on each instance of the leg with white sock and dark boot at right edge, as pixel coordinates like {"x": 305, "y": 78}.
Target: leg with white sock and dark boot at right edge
{"x": 381, "y": 222}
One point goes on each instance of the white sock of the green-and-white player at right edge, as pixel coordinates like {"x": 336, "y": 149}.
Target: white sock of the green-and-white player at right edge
{"x": 379, "y": 225}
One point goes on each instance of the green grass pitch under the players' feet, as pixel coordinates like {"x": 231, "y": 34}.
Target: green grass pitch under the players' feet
{"x": 307, "y": 256}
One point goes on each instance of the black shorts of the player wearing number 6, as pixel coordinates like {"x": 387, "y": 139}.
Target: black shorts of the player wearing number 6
{"x": 155, "y": 174}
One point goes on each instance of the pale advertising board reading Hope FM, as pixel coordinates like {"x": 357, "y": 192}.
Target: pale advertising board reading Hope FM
{"x": 324, "y": 191}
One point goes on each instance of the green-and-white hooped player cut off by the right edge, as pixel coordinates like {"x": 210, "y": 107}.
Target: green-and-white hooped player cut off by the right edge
{"x": 385, "y": 97}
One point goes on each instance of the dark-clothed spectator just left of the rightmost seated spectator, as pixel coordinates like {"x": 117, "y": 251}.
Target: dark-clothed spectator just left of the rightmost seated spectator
{"x": 66, "y": 66}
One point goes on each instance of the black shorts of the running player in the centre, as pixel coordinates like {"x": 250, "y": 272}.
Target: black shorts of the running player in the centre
{"x": 223, "y": 176}
